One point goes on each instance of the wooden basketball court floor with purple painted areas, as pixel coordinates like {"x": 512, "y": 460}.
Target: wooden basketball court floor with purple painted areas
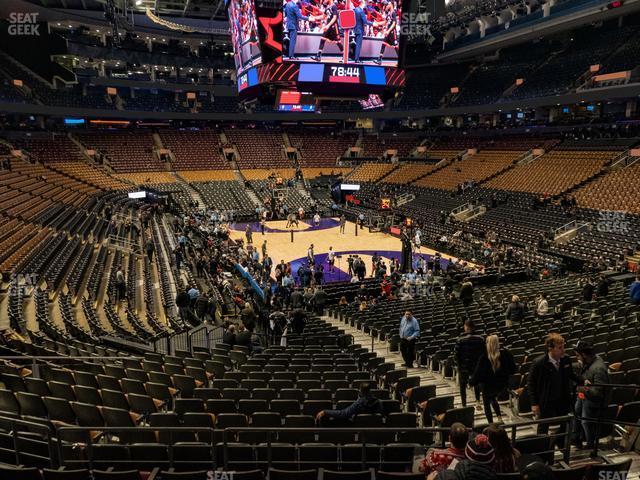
{"x": 365, "y": 244}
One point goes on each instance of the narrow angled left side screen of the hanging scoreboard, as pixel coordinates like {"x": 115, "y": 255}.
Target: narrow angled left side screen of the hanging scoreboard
{"x": 244, "y": 34}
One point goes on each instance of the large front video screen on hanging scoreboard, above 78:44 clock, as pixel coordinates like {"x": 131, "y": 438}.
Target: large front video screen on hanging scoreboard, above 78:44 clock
{"x": 314, "y": 31}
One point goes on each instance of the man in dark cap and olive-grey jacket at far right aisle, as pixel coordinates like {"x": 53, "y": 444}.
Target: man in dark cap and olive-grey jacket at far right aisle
{"x": 590, "y": 399}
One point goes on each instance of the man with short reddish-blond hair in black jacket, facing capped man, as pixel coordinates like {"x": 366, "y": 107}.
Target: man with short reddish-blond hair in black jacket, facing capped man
{"x": 550, "y": 380}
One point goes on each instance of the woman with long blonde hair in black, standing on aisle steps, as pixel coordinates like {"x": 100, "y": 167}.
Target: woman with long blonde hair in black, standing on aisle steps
{"x": 492, "y": 374}
